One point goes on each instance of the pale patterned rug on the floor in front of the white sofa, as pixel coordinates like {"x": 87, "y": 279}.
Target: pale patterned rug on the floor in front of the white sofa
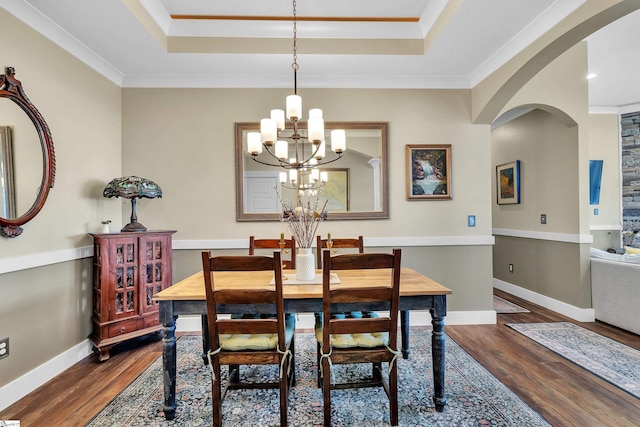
{"x": 612, "y": 361}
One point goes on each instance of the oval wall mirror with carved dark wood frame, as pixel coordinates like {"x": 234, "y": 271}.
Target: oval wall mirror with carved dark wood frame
{"x": 27, "y": 160}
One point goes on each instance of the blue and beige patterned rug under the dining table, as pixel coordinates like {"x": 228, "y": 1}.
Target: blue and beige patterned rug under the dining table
{"x": 474, "y": 396}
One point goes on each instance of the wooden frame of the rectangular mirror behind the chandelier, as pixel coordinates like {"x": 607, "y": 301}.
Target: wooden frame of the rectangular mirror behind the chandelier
{"x": 242, "y": 216}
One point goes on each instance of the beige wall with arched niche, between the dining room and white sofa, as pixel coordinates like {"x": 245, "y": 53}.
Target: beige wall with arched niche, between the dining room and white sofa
{"x": 553, "y": 145}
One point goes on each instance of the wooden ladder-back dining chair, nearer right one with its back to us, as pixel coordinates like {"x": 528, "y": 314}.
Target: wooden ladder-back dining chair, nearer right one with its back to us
{"x": 368, "y": 339}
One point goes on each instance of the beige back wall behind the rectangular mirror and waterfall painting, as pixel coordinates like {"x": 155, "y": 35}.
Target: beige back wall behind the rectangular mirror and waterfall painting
{"x": 183, "y": 139}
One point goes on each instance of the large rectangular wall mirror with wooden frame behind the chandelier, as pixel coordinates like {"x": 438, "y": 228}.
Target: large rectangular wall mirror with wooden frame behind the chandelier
{"x": 357, "y": 186}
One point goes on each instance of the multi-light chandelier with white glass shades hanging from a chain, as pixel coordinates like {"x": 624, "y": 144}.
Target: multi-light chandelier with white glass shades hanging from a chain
{"x": 274, "y": 138}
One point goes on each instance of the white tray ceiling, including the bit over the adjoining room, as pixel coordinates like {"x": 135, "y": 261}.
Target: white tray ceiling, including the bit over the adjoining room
{"x": 355, "y": 43}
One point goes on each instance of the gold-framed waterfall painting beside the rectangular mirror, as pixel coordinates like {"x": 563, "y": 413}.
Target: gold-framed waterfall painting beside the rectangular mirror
{"x": 429, "y": 172}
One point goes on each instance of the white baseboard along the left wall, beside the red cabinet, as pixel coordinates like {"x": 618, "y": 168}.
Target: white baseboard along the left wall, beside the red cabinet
{"x": 20, "y": 387}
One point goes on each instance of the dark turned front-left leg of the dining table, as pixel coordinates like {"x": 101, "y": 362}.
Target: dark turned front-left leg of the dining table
{"x": 169, "y": 358}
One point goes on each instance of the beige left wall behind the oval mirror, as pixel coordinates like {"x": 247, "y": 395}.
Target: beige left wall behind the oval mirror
{"x": 47, "y": 310}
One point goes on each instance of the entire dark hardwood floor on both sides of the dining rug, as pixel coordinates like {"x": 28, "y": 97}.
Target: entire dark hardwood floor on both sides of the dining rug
{"x": 565, "y": 394}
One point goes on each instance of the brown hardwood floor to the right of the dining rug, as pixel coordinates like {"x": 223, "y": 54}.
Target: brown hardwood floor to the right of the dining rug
{"x": 558, "y": 389}
